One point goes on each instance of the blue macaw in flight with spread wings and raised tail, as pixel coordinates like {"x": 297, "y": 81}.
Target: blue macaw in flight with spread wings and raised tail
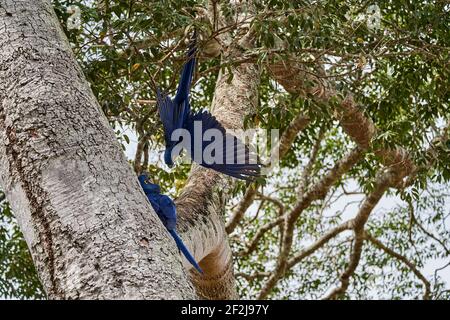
{"x": 233, "y": 155}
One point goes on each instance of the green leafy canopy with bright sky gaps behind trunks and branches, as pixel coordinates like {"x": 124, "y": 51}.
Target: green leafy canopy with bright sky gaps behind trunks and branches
{"x": 395, "y": 68}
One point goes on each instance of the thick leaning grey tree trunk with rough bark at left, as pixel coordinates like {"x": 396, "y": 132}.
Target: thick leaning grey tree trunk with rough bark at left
{"x": 90, "y": 229}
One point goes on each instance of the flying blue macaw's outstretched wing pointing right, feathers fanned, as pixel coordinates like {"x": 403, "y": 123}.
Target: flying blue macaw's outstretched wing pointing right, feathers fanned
{"x": 224, "y": 152}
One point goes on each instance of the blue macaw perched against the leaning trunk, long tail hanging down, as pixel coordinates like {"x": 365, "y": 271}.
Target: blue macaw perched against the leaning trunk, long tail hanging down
{"x": 166, "y": 210}
